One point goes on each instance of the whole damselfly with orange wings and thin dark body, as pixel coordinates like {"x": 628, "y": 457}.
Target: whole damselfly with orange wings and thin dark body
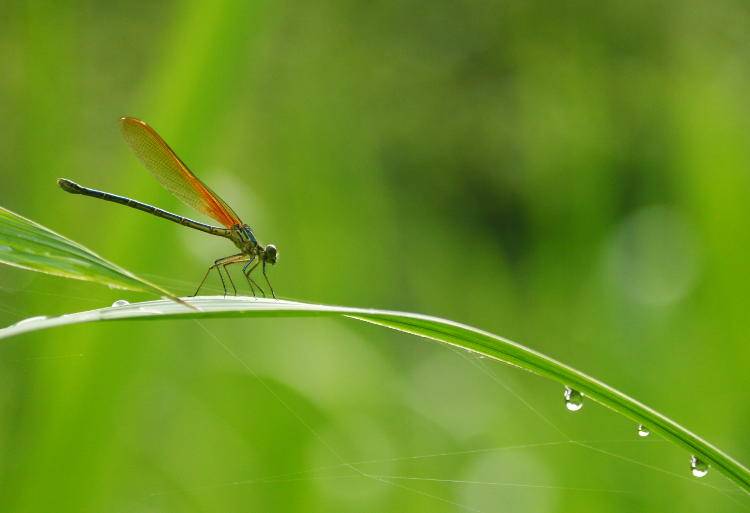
{"x": 175, "y": 176}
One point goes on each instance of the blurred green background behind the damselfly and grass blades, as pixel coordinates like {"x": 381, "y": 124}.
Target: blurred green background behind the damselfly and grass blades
{"x": 573, "y": 176}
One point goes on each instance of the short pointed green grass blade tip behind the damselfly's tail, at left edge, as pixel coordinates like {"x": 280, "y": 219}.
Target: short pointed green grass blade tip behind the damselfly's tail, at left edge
{"x": 28, "y": 245}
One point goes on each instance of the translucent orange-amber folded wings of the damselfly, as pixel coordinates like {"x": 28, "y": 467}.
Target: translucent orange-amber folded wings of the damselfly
{"x": 173, "y": 174}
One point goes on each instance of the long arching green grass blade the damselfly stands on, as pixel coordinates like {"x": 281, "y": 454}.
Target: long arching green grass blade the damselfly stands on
{"x": 441, "y": 330}
